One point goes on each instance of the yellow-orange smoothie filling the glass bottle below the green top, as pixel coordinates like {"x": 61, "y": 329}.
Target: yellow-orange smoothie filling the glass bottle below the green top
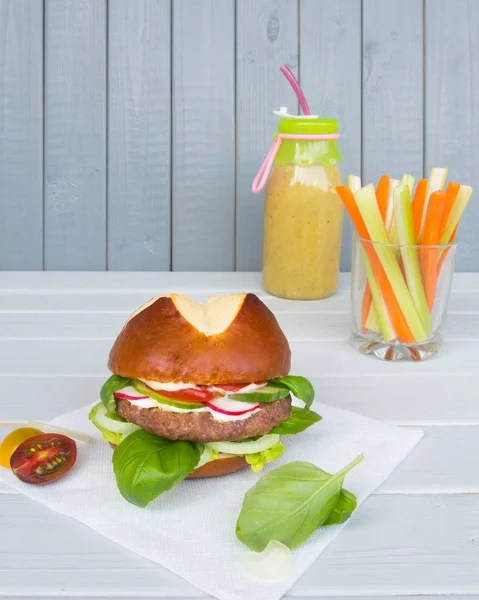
{"x": 302, "y": 231}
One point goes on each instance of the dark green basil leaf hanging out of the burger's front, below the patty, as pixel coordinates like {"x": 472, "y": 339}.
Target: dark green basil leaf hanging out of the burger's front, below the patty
{"x": 146, "y": 465}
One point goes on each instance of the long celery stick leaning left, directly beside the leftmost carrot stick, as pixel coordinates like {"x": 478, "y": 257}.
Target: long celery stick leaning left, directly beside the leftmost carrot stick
{"x": 368, "y": 207}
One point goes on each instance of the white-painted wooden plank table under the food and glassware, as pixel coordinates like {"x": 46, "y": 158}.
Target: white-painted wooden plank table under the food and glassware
{"x": 418, "y": 535}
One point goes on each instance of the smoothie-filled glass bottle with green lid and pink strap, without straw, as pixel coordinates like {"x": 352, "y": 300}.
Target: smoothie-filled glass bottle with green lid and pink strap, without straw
{"x": 303, "y": 213}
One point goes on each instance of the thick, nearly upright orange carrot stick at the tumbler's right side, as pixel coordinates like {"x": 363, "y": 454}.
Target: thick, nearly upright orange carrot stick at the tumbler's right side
{"x": 431, "y": 236}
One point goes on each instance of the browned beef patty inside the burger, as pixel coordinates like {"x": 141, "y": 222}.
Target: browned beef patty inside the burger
{"x": 201, "y": 426}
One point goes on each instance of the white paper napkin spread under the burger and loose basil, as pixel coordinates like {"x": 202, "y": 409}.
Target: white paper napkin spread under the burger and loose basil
{"x": 191, "y": 529}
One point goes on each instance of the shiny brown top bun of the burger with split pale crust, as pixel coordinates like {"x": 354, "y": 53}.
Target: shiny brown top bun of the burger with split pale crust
{"x": 231, "y": 339}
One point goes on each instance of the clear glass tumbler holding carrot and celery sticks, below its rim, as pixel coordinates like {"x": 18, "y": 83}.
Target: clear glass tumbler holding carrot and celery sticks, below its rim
{"x": 399, "y": 298}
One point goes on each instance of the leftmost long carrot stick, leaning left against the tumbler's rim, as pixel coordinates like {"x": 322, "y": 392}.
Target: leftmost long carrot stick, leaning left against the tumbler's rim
{"x": 397, "y": 318}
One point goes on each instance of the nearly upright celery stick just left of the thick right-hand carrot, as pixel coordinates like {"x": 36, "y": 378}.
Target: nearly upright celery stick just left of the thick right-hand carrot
{"x": 405, "y": 227}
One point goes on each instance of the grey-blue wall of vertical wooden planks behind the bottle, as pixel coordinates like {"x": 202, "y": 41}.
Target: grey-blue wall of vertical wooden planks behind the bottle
{"x": 130, "y": 131}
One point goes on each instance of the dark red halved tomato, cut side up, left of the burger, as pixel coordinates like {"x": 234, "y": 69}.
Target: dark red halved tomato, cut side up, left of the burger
{"x": 44, "y": 458}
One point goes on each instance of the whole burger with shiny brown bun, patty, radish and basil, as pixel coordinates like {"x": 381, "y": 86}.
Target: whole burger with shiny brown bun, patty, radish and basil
{"x": 198, "y": 390}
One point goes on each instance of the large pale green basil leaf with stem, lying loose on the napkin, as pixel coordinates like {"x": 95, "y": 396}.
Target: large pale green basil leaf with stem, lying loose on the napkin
{"x": 288, "y": 504}
